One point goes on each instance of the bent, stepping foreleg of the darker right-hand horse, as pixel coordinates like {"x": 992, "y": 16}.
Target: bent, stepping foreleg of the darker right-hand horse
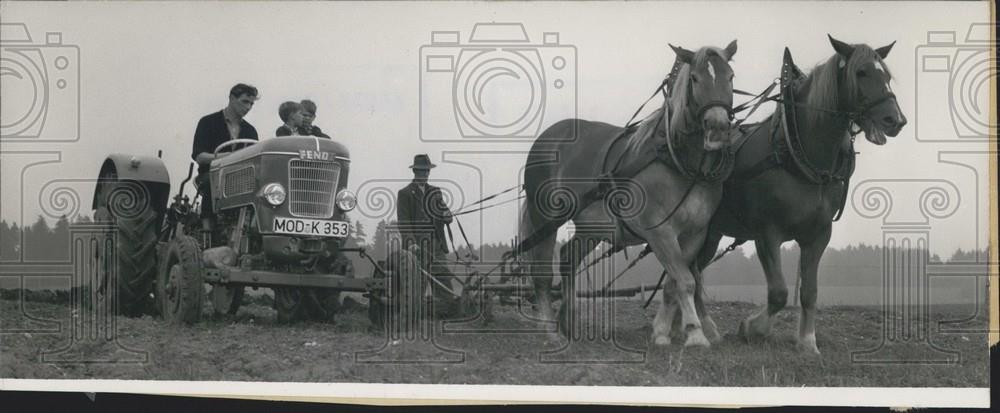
{"x": 769, "y": 253}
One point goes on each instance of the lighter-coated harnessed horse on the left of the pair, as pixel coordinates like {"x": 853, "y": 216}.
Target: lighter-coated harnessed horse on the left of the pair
{"x": 670, "y": 199}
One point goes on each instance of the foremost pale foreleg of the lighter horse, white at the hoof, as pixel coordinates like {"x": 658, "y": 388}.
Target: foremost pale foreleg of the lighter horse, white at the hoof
{"x": 668, "y": 251}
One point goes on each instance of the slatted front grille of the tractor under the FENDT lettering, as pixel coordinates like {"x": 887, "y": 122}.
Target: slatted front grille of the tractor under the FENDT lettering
{"x": 311, "y": 188}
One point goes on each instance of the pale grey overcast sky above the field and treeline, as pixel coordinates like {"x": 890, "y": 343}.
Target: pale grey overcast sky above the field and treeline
{"x": 135, "y": 78}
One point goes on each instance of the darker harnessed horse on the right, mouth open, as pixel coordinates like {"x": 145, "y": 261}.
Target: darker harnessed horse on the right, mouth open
{"x": 792, "y": 173}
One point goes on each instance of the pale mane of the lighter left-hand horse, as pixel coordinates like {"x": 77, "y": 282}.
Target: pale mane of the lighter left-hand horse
{"x": 675, "y": 105}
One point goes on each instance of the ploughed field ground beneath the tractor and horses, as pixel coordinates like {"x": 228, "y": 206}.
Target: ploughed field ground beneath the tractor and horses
{"x": 250, "y": 346}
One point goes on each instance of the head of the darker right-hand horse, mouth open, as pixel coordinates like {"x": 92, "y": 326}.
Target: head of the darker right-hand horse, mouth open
{"x": 865, "y": 91}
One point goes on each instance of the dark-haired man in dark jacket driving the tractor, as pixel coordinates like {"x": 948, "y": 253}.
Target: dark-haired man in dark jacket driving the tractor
{"x": 215, "y": 129}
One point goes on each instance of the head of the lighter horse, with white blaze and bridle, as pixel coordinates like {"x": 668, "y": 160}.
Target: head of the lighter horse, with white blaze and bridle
{"x": 707, "y": 80}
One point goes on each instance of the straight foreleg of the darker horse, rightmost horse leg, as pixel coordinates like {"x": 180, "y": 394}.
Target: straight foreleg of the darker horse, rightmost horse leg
{"x": 812, "y": 251}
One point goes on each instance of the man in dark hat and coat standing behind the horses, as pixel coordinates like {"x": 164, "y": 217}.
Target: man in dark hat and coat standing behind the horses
{"x": 421, "y": 215}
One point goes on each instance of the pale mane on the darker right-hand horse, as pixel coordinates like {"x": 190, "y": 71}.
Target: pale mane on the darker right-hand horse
{"x": 822, "y": 81}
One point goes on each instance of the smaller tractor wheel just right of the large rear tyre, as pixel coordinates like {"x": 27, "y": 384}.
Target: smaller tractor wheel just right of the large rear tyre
{"x": 179, "y": 284}
